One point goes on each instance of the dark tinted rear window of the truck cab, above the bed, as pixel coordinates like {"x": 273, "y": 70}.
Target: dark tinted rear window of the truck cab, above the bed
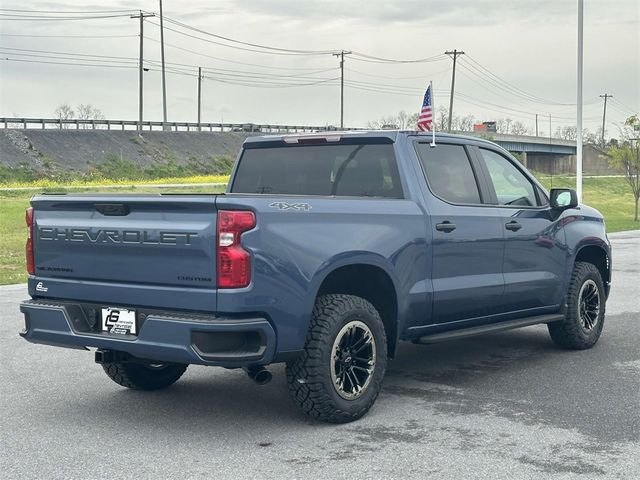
{"x": 366, "y": 170}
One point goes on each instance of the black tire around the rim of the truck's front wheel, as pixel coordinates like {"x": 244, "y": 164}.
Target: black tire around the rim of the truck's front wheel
{"x": 570, "y": 333}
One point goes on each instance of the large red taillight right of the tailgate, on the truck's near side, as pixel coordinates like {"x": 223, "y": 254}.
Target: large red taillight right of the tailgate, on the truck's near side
{"x": 234, "y": 262}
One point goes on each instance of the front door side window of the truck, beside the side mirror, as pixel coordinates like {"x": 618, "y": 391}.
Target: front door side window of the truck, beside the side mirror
{"x": 511, "y": 185}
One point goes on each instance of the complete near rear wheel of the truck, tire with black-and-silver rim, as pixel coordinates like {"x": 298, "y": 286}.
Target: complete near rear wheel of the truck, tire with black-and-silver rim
{"x": 339, "y": 375}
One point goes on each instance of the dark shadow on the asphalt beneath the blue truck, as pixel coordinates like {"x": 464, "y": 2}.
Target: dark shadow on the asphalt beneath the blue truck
{"x": 449, "y": 373}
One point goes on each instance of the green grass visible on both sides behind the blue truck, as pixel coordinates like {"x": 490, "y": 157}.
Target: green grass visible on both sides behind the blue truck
{"x": 611, "y": 196}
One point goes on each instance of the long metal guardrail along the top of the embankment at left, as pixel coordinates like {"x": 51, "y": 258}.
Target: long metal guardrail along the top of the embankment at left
{"x": 77, "y": 124}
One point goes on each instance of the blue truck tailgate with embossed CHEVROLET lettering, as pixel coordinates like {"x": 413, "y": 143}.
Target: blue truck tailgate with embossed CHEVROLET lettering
{"x": 150, "y": 240}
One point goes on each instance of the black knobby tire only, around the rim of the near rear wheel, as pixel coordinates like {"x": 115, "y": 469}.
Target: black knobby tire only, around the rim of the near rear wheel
{"x": 310, "y": 375}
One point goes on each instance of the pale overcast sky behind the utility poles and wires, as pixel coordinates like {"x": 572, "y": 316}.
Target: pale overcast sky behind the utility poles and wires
{"x": 520, "y": 59}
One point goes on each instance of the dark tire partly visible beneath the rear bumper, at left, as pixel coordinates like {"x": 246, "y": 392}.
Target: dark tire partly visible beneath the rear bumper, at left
{"x": 140, "y": 376}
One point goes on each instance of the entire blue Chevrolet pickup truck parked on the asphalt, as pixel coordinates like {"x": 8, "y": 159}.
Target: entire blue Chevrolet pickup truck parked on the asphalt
{"x": 325, "y": 252}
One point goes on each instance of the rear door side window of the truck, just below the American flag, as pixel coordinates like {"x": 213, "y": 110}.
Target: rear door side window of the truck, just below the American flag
{"x": 449, "y": 173}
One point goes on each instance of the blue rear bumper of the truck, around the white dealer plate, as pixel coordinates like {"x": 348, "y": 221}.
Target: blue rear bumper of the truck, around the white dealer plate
{"x": 163, "y": 336}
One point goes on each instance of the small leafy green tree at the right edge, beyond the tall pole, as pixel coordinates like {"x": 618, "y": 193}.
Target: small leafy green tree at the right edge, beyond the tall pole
{"x": 626, "y": 157}
